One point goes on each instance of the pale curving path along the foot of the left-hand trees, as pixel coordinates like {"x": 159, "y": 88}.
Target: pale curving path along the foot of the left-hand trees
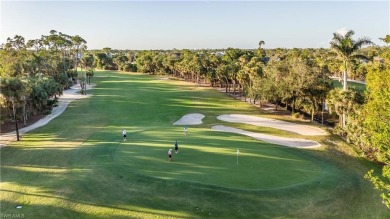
{"x": 67, "y": 97}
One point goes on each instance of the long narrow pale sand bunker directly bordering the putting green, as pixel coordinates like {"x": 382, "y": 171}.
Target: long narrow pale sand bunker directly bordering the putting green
{"x": 289, "y": 142}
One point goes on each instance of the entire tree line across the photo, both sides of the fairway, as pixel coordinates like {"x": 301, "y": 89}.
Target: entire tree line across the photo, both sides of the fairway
{"x": 34, "y": 74}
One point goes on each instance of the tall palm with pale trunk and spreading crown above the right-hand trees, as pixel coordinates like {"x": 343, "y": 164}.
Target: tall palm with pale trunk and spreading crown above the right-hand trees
{"x": 347, "y": 49}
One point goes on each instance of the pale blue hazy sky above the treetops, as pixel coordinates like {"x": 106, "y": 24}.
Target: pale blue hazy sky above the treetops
{"x": 196, "y": 24}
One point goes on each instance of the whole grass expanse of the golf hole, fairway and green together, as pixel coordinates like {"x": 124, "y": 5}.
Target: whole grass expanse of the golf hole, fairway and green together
{"x": 78, "y": 167}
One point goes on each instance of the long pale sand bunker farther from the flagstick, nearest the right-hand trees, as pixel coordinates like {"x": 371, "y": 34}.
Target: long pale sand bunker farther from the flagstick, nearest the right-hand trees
{"x": 273, "y": 123}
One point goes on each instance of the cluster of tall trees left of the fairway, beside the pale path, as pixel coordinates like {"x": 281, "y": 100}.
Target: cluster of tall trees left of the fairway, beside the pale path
{"x": 34, "y": 73}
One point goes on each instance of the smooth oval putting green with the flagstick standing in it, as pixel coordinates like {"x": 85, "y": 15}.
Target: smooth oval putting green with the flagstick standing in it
{"x": 213, "y": 160}
